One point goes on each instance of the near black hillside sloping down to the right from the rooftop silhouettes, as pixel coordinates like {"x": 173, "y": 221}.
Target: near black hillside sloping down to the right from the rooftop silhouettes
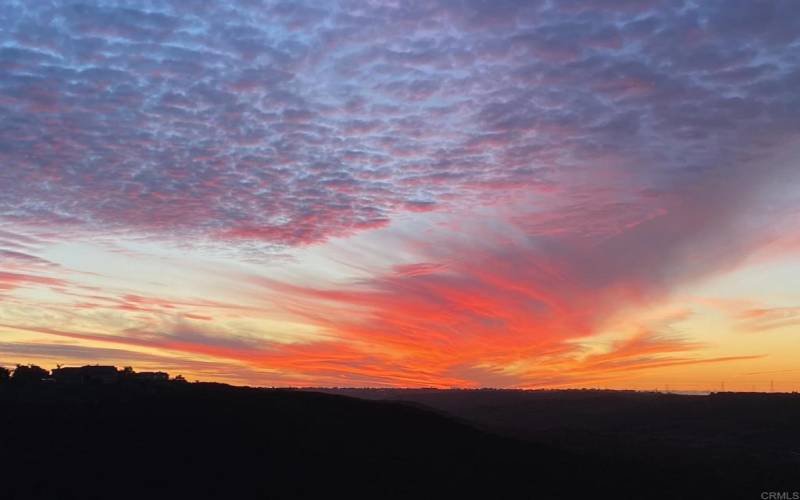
{"x": 142, "y": 439}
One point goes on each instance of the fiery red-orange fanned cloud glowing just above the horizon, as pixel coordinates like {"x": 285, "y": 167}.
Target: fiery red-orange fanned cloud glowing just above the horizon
{"x": 509, "y": 301}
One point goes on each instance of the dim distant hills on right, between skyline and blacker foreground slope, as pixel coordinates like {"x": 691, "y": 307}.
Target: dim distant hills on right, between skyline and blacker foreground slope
{"x": 749, "y": 421}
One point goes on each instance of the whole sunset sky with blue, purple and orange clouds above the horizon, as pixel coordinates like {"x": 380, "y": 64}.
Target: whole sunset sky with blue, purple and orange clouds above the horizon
{"x": 438, "y": 194}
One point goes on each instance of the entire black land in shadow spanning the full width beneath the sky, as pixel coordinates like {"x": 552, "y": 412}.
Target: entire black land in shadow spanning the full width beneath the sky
{"x": 181, "y": 440}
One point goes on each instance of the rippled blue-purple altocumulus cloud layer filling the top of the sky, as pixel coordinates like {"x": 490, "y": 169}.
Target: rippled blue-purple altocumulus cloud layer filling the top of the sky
{"x": 292, "y": 122}
